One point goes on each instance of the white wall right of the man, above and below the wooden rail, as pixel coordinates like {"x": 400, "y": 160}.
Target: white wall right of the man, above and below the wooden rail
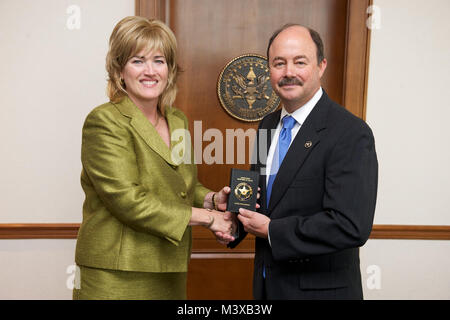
{"x": 408, "y": 108}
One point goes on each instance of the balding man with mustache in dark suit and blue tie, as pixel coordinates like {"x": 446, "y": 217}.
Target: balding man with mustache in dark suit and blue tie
{"x": 318, "y": 182}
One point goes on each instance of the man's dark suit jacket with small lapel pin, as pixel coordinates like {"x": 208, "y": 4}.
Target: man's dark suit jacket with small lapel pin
{"x": 321, "y": 209}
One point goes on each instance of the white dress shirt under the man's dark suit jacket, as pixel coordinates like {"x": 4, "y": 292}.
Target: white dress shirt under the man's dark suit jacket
{"x": 300, "y": 116}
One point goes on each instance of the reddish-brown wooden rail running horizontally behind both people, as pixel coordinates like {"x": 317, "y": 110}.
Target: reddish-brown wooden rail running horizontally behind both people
{"x": 208, "y": 243}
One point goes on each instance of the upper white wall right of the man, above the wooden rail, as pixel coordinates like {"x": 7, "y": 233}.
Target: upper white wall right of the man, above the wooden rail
{"x": 408, "y": 110}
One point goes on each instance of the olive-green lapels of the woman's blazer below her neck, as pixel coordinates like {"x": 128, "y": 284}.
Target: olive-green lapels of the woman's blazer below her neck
{"x": 146, "y": 131}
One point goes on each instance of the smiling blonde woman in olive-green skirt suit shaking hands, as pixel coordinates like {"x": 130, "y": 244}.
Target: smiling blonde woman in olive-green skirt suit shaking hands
{"x": 142, "y": 193}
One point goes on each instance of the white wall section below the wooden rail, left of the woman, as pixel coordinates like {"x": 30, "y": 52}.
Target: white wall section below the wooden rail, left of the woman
{"x": 36, "y": 269}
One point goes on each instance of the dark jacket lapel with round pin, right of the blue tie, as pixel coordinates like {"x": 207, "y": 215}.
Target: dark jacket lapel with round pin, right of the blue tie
{"x": 304, "y": 143}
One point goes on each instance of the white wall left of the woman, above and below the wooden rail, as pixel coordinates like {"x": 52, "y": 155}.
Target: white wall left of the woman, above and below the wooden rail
{"x": 52, "y": 76}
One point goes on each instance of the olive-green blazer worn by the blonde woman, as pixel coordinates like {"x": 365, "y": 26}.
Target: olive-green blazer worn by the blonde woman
{"x": 138, "y": 196}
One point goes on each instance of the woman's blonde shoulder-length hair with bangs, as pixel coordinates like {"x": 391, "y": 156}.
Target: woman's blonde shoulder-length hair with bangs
{"x": 132, "y": 35}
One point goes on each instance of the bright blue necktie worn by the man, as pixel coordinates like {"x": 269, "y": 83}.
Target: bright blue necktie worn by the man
{"x": 280, "y": 152}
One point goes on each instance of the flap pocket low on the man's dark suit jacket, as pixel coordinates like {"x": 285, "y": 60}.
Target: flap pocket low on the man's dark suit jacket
{"x": 324, "y": 280}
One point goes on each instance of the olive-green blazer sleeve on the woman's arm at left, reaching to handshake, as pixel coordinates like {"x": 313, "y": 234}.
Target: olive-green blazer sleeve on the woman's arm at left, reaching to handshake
{"x": 110, "y": 162}
